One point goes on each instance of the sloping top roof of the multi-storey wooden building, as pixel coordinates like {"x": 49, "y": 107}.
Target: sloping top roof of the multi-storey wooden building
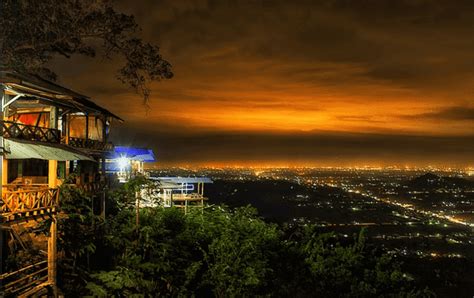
{"x": 32, "y": 86}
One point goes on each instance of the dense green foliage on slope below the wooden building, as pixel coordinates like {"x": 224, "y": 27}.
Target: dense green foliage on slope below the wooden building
{"x": 213, "y": 252}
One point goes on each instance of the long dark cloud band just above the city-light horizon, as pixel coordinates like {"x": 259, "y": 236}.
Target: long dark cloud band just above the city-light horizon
{"x": 315, "y": 148}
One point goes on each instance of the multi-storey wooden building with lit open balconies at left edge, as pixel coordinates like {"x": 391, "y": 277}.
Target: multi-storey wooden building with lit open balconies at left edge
{"x": 48, "y": 131}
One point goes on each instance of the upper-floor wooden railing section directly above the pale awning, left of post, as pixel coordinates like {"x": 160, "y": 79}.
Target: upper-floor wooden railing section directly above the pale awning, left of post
{"x": 30, "y": 133}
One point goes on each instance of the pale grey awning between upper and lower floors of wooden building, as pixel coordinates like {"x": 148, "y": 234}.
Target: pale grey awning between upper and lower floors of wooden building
{"x": 15, "y": 149}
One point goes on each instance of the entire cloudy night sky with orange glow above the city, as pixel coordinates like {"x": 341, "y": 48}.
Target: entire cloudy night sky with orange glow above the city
{"x": 317, "y": 83}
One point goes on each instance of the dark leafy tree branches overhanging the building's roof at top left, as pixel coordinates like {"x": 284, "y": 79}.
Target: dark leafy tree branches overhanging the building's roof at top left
{"x": 33, "y": 32}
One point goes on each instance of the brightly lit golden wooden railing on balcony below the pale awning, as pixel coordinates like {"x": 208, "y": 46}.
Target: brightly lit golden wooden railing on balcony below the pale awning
{"x": 29, "y": 202}
